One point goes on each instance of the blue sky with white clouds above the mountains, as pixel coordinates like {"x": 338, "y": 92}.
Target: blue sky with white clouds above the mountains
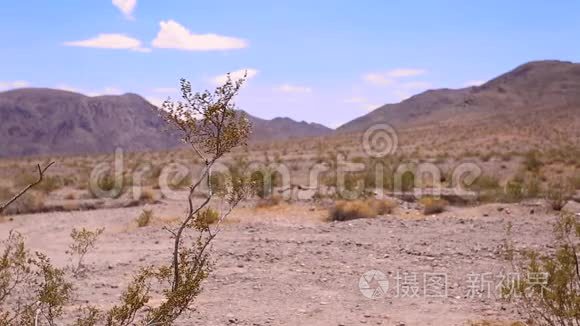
{"x": 320, "y": 61}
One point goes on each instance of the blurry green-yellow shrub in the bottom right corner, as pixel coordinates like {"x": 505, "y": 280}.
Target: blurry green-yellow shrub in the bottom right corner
{"x": 548, "y": 290}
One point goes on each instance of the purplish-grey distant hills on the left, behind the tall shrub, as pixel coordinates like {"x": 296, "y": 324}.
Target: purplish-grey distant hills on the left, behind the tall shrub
{"x": 37, "y": 121}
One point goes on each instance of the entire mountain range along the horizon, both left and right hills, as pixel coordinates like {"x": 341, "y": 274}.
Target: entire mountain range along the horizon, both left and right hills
{"x": 38, "y": 121}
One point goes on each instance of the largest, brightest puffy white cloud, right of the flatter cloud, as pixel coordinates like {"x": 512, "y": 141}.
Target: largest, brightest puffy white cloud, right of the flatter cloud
{"x": 173, "y": 35}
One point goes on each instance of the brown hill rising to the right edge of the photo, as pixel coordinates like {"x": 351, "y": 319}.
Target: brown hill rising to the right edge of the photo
{"x": 542, "y": 94}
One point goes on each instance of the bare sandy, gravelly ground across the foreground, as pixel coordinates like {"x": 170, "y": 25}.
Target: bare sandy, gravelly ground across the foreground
{"x": 284, "y": 266}
